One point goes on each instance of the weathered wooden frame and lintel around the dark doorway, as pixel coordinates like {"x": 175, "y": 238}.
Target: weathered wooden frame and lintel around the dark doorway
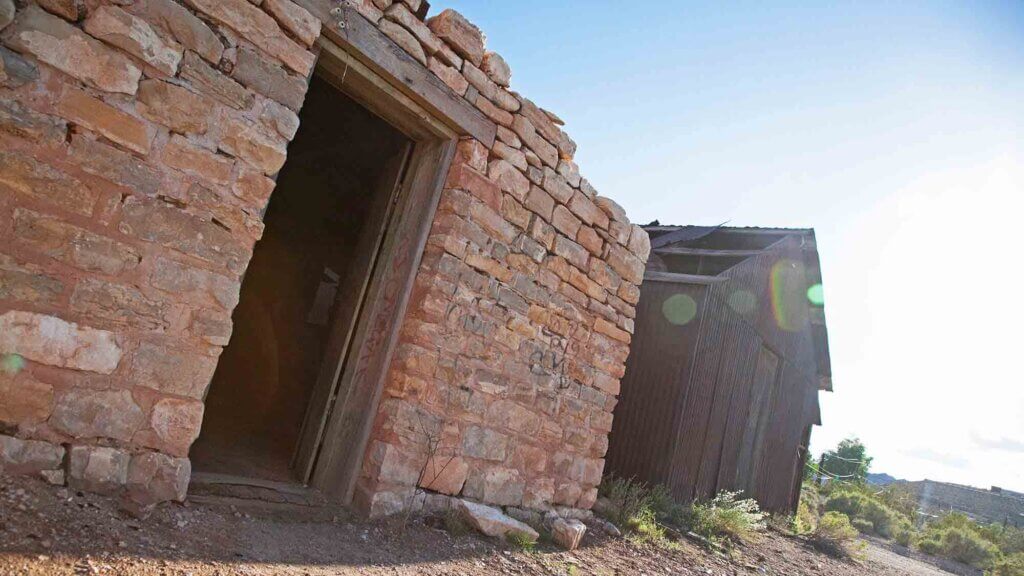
{"x": 367, "y": 66}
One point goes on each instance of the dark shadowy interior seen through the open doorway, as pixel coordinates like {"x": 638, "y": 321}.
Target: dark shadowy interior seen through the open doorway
{"x": 260, "y": 394}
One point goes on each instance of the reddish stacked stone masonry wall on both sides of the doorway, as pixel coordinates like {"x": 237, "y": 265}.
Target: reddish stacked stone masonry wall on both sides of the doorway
{"x": 138, "y": 145}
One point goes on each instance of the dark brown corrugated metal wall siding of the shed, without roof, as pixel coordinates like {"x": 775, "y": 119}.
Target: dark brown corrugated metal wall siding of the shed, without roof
{"x": 742, "y": 406}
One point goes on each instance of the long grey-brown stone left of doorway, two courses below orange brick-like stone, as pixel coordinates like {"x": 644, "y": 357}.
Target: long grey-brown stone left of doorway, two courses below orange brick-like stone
{"x": 166, "y": 225}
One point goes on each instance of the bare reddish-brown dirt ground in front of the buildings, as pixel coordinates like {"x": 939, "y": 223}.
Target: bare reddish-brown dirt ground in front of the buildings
{"x": 48, "y": 530}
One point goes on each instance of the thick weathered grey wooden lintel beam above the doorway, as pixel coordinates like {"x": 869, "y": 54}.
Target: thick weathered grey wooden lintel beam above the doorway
{"x": 347, "y": 28}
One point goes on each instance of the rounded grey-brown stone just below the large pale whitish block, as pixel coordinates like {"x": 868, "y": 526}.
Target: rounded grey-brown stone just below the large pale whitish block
{"x": 90, "y": 414}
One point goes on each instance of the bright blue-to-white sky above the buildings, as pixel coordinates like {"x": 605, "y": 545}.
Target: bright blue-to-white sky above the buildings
{"x": 897, "y": 131}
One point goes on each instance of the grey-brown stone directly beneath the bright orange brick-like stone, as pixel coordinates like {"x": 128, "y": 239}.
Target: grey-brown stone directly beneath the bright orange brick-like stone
{"x": 116, "y": 167}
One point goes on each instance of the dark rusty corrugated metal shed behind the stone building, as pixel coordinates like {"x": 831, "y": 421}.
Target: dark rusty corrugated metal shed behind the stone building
{"x": 730, "y": 354}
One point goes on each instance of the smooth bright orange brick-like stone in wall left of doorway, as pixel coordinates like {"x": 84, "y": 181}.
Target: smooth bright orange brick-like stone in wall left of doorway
{"x": 98, "y": 116}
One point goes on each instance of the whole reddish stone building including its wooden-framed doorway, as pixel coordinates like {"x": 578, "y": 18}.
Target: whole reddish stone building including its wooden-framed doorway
{"x": 432, "y": 301}
